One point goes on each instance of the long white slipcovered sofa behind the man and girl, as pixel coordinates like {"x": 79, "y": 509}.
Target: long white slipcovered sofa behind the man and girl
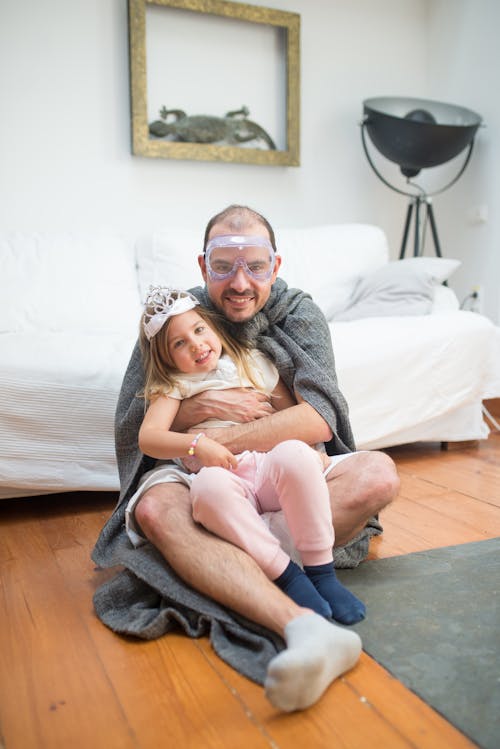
{"x": 411, "y": 364}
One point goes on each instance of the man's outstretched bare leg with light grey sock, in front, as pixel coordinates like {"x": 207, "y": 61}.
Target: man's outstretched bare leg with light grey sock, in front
{"x": 317, "y": 651}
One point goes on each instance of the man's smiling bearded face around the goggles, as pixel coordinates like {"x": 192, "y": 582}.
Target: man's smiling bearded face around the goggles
{"x": 240, "y": 296}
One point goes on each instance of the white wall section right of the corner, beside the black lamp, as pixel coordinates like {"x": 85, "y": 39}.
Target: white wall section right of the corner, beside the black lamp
{"x": 464, "y": 61}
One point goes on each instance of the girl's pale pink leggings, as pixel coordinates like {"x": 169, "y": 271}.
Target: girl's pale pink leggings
{"x": 290, "y": 478}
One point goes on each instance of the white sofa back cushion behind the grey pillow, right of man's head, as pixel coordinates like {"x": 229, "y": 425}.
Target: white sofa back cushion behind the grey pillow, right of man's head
{"x": 328, "y": 261}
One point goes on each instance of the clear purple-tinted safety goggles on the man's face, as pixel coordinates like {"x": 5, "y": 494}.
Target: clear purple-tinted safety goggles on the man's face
{"x": 225, "y": 254}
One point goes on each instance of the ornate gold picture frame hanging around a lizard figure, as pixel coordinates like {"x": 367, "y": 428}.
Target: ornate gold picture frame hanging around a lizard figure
{"x": 286, "y": 24}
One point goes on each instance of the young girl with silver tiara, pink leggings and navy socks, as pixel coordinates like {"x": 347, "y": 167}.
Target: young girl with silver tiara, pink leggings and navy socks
{"x": 185, "y": 353}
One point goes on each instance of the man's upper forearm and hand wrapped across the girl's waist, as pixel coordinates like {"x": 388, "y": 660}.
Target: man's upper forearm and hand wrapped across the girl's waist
{"x": 235, "y": 404}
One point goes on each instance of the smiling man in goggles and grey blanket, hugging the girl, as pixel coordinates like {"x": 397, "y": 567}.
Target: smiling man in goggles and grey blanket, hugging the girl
{"x": 287, "y": 326}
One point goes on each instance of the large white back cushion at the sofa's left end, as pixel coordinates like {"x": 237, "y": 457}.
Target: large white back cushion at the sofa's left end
{"x": 67, "y": 283}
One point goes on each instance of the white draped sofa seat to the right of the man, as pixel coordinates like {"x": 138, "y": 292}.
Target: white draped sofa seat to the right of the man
{"x": 401, "y": 375}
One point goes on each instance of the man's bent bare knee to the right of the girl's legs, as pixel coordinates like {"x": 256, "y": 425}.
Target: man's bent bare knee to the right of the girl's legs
{"x": 360, "y": 486}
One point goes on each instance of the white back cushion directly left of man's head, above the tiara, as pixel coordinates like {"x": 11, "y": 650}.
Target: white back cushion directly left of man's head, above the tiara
{"x": 169, "y": 258}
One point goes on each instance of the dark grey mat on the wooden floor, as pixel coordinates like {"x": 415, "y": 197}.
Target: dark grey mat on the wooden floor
{"x": 433, "y": 621}
